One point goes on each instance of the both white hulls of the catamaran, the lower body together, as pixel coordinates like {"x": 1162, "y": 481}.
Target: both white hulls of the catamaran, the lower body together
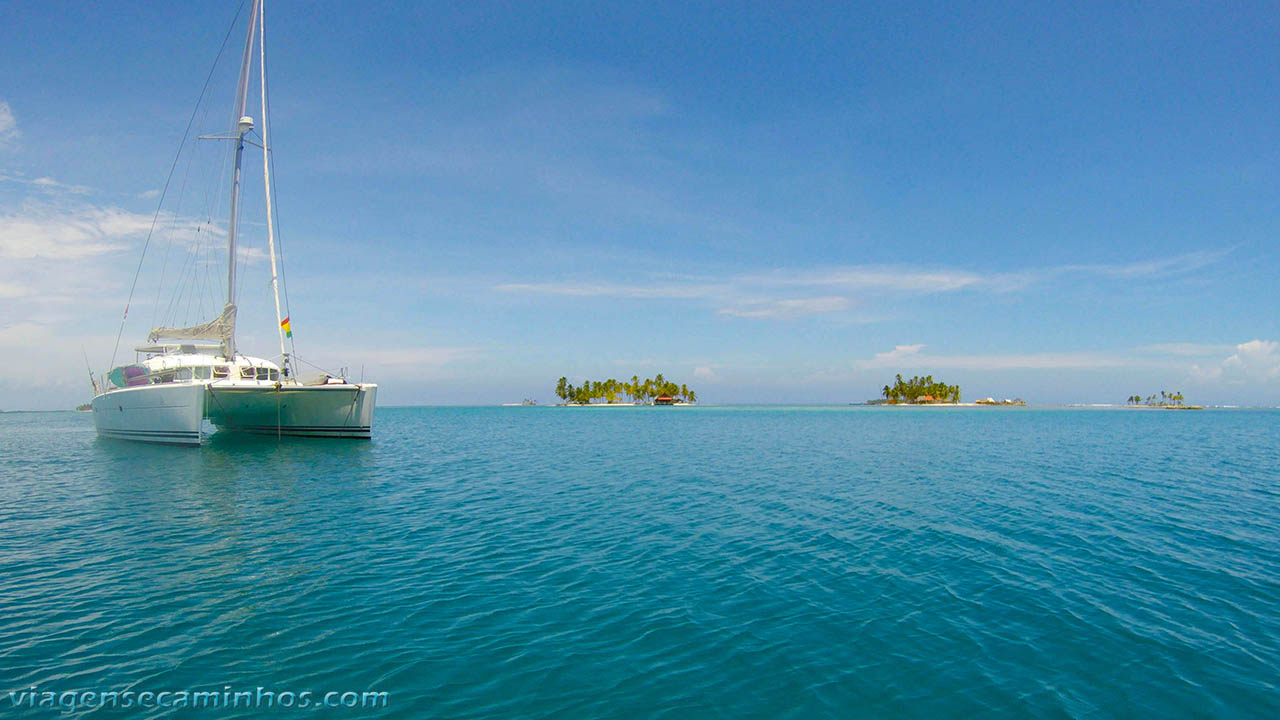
{"x": 175, "y": 413}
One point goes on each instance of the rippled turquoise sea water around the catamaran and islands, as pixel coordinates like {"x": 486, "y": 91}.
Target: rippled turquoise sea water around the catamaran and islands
{"x": 660, "y": 563}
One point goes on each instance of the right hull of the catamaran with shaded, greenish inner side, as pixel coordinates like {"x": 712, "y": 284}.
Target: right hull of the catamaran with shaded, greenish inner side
{"x": 328, "y": 411}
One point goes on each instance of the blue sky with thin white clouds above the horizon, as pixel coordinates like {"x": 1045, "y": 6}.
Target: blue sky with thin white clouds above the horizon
{"x": 774, "y": 203}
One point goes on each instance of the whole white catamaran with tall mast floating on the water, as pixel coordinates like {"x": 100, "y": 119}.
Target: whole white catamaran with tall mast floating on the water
{"x": 184, "y": 376}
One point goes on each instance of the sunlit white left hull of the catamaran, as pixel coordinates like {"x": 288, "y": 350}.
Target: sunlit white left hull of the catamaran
{"x": 168, "y": 414}
